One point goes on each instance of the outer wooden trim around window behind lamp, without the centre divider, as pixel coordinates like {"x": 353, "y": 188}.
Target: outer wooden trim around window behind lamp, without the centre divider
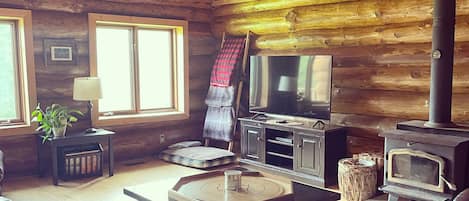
{"x": 182, "y": 62}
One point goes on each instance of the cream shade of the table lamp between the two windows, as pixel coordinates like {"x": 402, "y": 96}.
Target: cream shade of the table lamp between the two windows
{"x": 87, "y": 88}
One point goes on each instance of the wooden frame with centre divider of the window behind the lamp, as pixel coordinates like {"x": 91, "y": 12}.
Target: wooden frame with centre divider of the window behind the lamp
{"x": 180, "y": 79}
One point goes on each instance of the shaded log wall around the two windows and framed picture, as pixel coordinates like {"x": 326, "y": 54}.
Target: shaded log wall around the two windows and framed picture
{"x": 68, "y": 19}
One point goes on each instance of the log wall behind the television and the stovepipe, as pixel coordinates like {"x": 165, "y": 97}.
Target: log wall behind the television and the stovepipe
{"x": 381, "y": 68}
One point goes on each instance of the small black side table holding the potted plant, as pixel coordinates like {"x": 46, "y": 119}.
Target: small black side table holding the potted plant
{"x": 73, "y": 139}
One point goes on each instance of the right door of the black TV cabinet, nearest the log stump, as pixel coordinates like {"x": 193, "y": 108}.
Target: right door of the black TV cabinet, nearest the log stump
{"x": 307, "y": 154}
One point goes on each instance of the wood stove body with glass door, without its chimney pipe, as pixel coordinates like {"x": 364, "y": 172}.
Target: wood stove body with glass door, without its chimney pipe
{"x": 424, "y": 163}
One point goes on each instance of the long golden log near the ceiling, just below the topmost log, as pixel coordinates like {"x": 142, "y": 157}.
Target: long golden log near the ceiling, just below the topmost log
{"x": 331, "y": 16}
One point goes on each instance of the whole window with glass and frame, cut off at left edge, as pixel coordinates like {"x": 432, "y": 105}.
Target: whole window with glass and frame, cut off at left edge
{"x": 17, "y": 83}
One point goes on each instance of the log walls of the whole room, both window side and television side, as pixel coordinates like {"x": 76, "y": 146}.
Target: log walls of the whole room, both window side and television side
{"x": 380, "y": 49}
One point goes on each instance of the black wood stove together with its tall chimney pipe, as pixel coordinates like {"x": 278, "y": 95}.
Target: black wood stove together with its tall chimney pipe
{"x": 430, "y": 160}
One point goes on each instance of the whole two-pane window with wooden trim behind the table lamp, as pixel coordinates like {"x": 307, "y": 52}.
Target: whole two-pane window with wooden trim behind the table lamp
{"x": 143, "y": 68}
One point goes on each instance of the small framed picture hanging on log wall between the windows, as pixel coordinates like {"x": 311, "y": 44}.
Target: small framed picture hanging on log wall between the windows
{"x": 61, "y": 51}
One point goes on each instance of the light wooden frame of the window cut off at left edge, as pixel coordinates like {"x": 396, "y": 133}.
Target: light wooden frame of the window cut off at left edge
{"x": 25, "y": 71}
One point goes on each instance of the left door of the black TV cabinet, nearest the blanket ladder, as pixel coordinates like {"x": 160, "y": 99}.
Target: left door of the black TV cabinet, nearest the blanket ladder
{"x": 253, "y": 143}
